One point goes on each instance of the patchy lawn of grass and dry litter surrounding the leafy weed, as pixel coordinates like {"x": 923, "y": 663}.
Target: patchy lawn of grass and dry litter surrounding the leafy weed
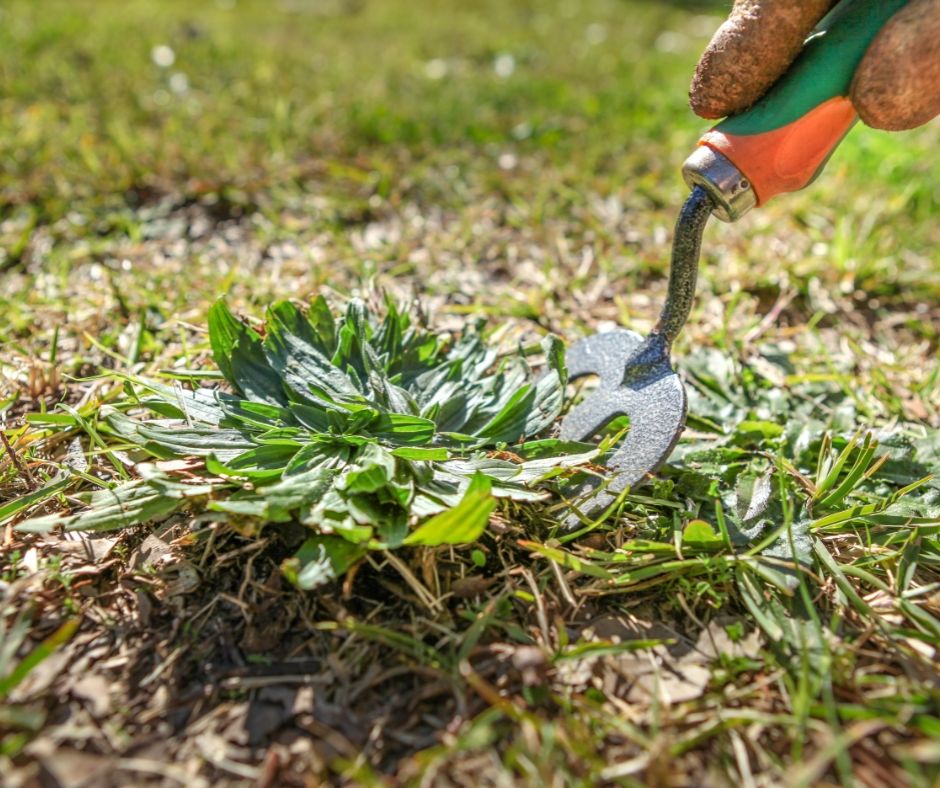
{"x": 766, "y": 611}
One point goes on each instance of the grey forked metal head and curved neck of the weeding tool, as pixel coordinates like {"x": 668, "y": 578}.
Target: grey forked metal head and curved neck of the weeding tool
{"x": 636, "y": 376}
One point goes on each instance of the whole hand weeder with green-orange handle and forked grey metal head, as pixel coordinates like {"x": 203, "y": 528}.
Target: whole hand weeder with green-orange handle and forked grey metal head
{"x": 781, "y": 144}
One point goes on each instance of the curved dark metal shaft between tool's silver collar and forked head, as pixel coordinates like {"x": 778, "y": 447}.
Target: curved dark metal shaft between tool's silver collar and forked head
{"x": 683, "y": 273}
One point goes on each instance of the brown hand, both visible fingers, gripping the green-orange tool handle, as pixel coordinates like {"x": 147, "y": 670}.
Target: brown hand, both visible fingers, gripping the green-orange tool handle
{"x": 896, "y": 85}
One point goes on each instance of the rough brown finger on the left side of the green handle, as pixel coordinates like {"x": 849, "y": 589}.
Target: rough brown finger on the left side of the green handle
{"x": 750, "y": 52}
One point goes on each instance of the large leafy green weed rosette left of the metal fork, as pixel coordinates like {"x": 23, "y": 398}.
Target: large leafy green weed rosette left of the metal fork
{"x": 371, "y": 432}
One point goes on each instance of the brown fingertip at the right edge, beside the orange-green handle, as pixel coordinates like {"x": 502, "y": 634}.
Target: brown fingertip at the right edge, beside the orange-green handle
{"x": 897, "y": 84}
